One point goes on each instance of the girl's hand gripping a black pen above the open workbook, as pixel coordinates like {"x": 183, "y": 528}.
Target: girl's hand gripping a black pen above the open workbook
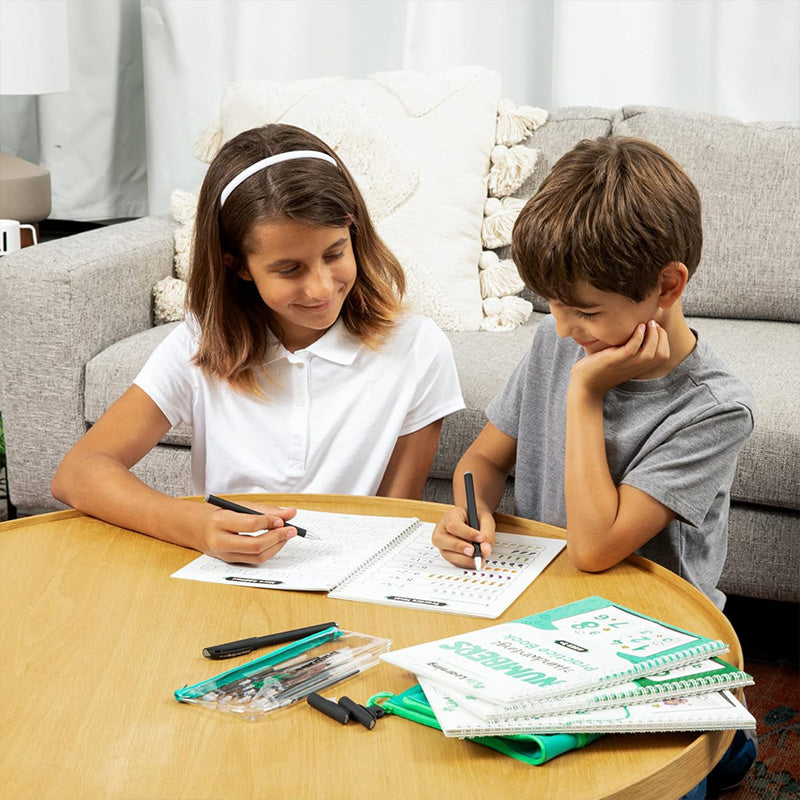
{"x": 233, "y": 537}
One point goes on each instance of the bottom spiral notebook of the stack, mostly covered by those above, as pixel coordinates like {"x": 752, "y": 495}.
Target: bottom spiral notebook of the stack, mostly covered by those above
{"x": 714, "y": 711}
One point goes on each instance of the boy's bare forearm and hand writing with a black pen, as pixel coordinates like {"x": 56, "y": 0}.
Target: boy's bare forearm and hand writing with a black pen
{"x": 489, "y": 458}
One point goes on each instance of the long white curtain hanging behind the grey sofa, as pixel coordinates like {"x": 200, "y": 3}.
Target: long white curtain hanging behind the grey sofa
{"x": 147, "y": 76}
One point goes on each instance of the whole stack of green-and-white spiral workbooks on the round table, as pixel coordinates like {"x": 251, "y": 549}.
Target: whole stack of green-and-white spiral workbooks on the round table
{"x": 591, "y": 666}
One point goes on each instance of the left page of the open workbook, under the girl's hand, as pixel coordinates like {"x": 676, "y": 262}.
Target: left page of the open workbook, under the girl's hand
{"x": 344, "y": 542}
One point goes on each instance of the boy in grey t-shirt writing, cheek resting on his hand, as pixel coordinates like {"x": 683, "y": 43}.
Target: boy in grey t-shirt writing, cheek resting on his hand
{"x": 623, "y": 425}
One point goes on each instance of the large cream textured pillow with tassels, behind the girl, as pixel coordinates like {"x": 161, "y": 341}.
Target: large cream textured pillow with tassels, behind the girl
{"x": 423, "y": 149}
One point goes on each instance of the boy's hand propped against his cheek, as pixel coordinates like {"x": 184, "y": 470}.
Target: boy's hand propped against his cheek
{"x": 645, "y": 351}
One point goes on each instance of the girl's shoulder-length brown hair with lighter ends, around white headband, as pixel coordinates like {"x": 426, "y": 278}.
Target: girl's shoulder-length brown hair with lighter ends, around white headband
{"x": 234, "y": 321}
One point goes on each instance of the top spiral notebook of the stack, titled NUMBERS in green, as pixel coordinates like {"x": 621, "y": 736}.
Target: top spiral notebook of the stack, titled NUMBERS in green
{"x": 579, "y": 647}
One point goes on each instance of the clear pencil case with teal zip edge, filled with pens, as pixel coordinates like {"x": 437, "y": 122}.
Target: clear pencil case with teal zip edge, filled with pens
{"x": 288, "y": 674}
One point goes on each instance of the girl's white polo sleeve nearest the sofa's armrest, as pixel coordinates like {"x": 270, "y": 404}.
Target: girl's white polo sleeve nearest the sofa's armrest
{"x": 168, "y": 376}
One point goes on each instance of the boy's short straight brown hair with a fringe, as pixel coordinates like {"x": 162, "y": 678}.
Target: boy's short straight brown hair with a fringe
{"x": 612, "y": 212}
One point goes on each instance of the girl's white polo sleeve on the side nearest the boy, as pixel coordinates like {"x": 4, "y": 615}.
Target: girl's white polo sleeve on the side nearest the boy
{"x": 438, "y": 391}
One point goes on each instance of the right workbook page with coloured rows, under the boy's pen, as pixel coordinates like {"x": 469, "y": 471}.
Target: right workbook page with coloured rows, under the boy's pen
{"x": 416, "y": 575}
